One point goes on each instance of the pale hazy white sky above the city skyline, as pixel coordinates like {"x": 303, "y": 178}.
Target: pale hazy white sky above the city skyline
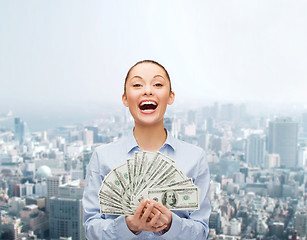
{"x": 66, "y": 54}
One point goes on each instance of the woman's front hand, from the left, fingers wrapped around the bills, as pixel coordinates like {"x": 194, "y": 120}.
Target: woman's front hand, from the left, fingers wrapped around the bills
{"x": 141, "y": 221}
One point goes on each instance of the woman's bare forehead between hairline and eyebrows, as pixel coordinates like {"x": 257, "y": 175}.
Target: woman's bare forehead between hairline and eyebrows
{"x": 147, "y": 70}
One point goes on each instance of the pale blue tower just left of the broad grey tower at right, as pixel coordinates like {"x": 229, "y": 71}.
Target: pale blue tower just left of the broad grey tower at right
{"x": 255, "y": 150}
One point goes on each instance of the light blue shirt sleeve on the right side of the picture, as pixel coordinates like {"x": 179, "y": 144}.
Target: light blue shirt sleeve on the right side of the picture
{"x": 195, "y": 226}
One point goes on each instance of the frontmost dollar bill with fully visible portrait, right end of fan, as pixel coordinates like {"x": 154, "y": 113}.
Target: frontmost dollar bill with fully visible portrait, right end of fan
{"x": 183, "y": 198}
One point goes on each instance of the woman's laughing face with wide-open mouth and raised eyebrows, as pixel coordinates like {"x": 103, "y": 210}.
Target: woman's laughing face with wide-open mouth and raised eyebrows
{"x": 148, "y": 93}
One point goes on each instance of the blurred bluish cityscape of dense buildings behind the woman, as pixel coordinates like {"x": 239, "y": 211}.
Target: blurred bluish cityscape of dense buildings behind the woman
{"x": 258, "y": 166}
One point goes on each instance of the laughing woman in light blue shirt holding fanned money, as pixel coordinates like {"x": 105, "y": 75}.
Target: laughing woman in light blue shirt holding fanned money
{"x": 147, "y": 92}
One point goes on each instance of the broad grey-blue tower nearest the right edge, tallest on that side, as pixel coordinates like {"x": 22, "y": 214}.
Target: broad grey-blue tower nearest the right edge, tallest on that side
{"x": 283, "y": 140}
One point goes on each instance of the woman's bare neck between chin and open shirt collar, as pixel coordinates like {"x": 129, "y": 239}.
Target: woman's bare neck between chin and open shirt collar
{"x": 150, "y": 138}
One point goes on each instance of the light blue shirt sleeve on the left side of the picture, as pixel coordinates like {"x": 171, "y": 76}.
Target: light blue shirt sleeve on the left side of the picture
{"x": 95, "y": 224}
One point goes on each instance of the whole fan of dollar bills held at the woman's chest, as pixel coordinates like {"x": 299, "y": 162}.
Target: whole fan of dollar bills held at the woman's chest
{"x": 147, "y": 175}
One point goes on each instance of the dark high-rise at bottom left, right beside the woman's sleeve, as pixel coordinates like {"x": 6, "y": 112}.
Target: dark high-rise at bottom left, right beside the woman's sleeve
{"x": 65, "y": 217}
